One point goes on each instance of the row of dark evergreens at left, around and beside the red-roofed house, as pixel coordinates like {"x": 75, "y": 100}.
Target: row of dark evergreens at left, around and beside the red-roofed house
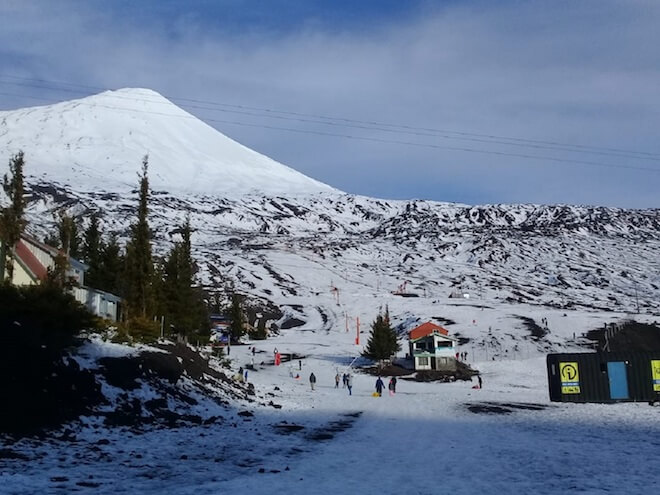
{"x": 156, "y": 293}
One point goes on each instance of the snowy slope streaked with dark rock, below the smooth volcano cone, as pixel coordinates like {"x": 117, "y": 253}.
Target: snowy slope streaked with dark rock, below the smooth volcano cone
{"x": 293, "y": 251}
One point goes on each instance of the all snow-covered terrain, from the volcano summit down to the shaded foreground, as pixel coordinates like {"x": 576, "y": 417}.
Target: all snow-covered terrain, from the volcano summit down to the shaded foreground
{"x": 325, "y": 258}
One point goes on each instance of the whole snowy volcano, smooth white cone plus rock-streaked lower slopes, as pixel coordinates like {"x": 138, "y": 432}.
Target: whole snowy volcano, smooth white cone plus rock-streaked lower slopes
{"x": 319, "y": 255}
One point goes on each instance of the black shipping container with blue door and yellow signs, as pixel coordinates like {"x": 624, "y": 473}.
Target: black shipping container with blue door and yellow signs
{"x": 604, "y": 377}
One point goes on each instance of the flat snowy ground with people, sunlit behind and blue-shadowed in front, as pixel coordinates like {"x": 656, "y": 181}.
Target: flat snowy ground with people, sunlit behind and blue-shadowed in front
{"x": 428, "y": 438}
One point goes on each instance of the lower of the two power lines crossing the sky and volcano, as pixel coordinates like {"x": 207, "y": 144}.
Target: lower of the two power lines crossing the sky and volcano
{"x": 365, "y": 138}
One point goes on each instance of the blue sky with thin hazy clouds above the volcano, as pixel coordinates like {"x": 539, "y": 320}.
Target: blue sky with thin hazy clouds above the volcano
{"x": 465, "y": 101}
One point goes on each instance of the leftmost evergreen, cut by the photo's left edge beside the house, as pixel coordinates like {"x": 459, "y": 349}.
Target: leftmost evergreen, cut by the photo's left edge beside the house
{"x": 12, "y": 222}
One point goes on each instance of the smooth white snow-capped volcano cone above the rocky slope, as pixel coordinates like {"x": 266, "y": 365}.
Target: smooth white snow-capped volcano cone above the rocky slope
{"x": 100, "y": 141}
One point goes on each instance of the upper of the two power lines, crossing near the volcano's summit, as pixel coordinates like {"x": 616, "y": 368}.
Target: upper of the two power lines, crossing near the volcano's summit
{"x": 365, "y": 124}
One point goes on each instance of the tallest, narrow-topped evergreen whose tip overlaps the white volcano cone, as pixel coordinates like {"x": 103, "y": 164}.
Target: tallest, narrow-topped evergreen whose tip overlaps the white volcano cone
{"x": 139, "y": 264}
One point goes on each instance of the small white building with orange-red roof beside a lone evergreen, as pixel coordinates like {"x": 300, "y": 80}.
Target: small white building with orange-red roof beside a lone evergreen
{"x": 432, "y": 348}
